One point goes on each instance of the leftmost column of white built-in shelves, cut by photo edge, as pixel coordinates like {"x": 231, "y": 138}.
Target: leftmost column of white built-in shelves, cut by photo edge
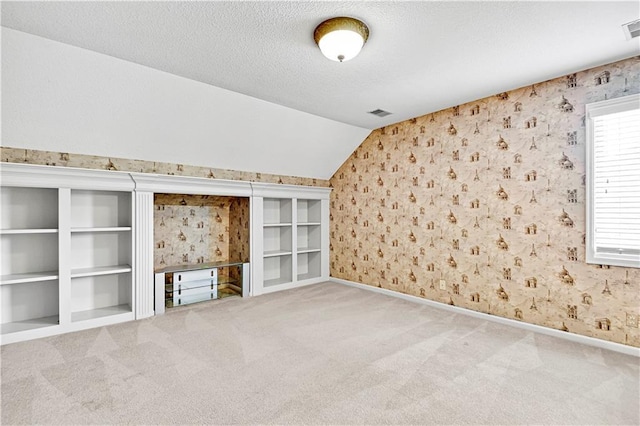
{"x": 29, "y": 280}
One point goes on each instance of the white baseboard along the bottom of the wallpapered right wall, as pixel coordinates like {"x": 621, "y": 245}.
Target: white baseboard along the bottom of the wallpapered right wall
{"x": 577, "y": 338}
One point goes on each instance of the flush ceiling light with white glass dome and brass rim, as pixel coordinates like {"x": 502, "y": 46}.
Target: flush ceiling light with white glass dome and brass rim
{"x": 342, "y": 38}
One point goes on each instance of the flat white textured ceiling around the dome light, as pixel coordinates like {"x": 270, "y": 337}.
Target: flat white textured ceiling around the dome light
{"x": 420, "y": 57}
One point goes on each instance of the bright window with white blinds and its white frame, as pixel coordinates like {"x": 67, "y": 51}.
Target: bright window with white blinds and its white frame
{"x": 613, "y": 182}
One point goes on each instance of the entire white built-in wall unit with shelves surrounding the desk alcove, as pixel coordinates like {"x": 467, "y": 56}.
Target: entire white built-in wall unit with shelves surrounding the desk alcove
{"x": 76, "y": 246}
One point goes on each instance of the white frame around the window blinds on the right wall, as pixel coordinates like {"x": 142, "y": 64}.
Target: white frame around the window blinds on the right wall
{"x": 592, "y": 110}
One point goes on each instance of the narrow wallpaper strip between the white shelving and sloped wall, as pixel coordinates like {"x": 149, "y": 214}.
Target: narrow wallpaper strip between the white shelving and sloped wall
{"x": 64, "y": 159}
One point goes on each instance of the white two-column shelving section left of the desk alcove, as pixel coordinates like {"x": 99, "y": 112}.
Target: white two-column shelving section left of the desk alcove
{"x": 66, "y": 246}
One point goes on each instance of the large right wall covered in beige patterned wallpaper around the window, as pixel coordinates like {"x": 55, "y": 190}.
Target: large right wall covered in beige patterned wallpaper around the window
{"x": 490, "y": 197}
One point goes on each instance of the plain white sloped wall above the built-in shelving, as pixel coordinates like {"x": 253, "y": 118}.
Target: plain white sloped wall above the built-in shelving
{"x": 57, "y": 97}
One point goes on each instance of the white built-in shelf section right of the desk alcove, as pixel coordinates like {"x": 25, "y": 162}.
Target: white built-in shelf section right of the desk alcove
{"x": 294, "y": 248}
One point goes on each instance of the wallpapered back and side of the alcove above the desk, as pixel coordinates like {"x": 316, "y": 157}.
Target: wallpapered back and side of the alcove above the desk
{"x": 193, "y": 229}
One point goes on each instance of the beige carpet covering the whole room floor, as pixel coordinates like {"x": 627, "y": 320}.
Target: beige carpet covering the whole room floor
{"x": 323, "y": 354}
